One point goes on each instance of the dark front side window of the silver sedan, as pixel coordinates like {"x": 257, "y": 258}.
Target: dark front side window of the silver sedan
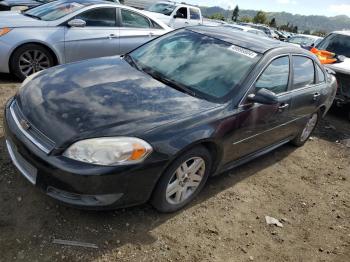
{"x": 105, "y": 17}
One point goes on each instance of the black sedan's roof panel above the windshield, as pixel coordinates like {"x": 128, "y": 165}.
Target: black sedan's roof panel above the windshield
{"x": 240, "y": 38}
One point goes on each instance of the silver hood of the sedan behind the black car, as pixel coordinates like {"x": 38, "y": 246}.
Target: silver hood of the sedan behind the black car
{"x": 16, "y": 19}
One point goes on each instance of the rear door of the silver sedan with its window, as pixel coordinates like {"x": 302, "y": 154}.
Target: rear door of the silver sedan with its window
{"x": 135, "y": 30}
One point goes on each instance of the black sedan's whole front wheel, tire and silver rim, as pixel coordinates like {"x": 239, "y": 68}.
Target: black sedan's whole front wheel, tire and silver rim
{"x": 183, "y": 180}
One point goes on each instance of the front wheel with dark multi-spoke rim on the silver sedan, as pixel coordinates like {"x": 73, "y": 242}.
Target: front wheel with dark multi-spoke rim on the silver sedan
{"x": 29, "y": 59}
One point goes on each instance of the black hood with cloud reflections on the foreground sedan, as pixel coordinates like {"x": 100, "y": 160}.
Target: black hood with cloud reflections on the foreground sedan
{"x": 102, "y": 97}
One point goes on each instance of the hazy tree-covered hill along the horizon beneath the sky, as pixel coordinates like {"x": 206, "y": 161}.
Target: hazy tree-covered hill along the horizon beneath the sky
{"x": 312, "y": 22}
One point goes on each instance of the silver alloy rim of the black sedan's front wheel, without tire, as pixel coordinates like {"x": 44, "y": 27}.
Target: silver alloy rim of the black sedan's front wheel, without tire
{"x": 185, "y": 180}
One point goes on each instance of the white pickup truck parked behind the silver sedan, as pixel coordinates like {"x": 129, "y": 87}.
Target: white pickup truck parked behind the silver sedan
{"x": 176, "y": 15}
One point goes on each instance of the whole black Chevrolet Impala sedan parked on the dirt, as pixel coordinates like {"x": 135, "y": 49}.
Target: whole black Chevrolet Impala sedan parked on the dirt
{"x": 154, "y": 124}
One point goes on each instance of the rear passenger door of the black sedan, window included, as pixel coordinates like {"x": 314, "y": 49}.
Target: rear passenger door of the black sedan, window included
{"x": 307, "y": 87}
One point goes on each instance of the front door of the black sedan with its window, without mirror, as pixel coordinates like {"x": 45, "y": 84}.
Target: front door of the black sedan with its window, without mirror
{"x": 259, "y": 126}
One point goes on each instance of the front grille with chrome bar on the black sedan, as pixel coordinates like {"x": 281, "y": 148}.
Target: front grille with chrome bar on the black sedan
{"x": 31, "y": 132}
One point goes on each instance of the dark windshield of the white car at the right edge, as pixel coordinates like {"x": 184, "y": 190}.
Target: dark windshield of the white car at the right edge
{"x": 335, "y": 43}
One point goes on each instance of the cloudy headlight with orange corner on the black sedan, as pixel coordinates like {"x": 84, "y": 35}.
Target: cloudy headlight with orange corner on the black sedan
{"x": 109, "y": 151}
